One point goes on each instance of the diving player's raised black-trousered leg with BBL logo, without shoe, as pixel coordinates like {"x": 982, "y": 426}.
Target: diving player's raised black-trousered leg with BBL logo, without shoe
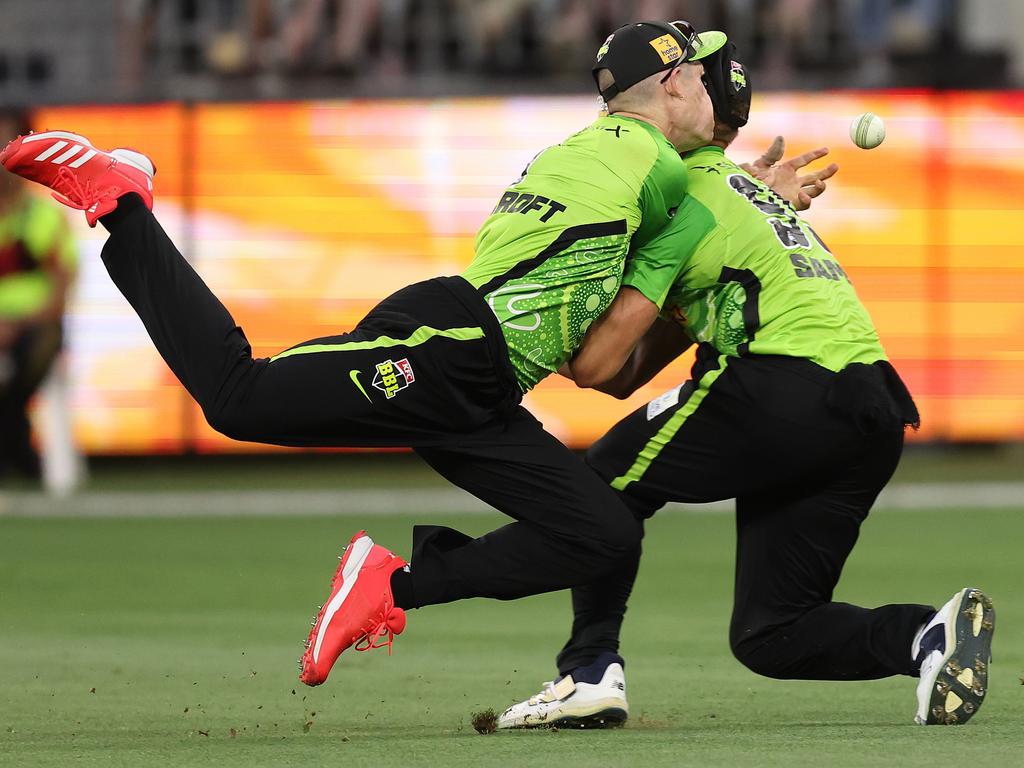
{"x": 387, "y": 383}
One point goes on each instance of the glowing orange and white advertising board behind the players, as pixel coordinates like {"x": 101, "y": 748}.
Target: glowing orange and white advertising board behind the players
{"x": 301, "y": 217}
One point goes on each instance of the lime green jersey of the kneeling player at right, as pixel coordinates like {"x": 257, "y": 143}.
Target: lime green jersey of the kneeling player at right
{"x": 753, "y": 277}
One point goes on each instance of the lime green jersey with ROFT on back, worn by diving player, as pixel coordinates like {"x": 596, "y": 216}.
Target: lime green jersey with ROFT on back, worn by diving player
{"x": 550, "y": 259}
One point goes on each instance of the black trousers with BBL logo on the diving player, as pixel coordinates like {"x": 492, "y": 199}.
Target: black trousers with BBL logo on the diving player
{"x": 429, "y": 369}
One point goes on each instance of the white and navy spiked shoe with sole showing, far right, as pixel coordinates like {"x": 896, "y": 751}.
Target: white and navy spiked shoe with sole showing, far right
{"x": 956, "y": 651}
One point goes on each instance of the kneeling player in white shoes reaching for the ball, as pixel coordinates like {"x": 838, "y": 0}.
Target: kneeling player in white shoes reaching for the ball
{"x": 794, "y": 411}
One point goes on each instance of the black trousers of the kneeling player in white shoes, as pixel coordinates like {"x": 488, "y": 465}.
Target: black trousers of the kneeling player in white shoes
{"x": 805, "y": 453}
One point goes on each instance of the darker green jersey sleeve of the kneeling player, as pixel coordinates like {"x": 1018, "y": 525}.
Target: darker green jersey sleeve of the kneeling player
{"x": 655, "y": 268}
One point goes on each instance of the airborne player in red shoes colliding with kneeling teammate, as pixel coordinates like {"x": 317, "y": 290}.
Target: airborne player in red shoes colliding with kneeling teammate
{"x": 441, "y": 366}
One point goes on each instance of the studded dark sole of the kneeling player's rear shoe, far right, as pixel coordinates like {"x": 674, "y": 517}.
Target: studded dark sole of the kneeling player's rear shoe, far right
{"x": 962, "y": 681}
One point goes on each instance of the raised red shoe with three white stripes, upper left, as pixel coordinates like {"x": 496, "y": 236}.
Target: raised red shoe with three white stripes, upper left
{"x": 80, "y": 176}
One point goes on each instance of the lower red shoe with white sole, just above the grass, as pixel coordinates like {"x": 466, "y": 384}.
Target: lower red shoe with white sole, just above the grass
{"x": 361, "y": 610}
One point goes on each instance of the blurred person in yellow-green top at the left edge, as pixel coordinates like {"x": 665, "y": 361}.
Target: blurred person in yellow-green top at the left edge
{"x": 37, "y": 264}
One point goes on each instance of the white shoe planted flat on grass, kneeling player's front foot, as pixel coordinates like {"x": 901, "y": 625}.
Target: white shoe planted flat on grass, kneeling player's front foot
{"x": 571, "y": 704}
